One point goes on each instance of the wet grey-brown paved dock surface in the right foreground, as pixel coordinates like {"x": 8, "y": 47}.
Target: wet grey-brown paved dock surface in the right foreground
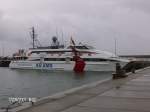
{"x": 131, "y": 94}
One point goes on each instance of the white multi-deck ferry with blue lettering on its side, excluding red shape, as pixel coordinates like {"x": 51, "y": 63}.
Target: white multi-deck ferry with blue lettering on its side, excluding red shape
{"x": 56, "y": 57}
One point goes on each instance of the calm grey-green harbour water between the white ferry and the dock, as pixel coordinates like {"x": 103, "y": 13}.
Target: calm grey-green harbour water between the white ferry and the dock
{"x": 37, "y": 83}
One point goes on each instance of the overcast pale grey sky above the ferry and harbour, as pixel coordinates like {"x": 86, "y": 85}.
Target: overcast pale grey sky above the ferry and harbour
{"x": 96, "y": 22}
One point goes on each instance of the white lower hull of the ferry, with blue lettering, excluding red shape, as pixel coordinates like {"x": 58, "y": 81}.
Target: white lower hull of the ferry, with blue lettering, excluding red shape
{"x": 64, "y": 66}
